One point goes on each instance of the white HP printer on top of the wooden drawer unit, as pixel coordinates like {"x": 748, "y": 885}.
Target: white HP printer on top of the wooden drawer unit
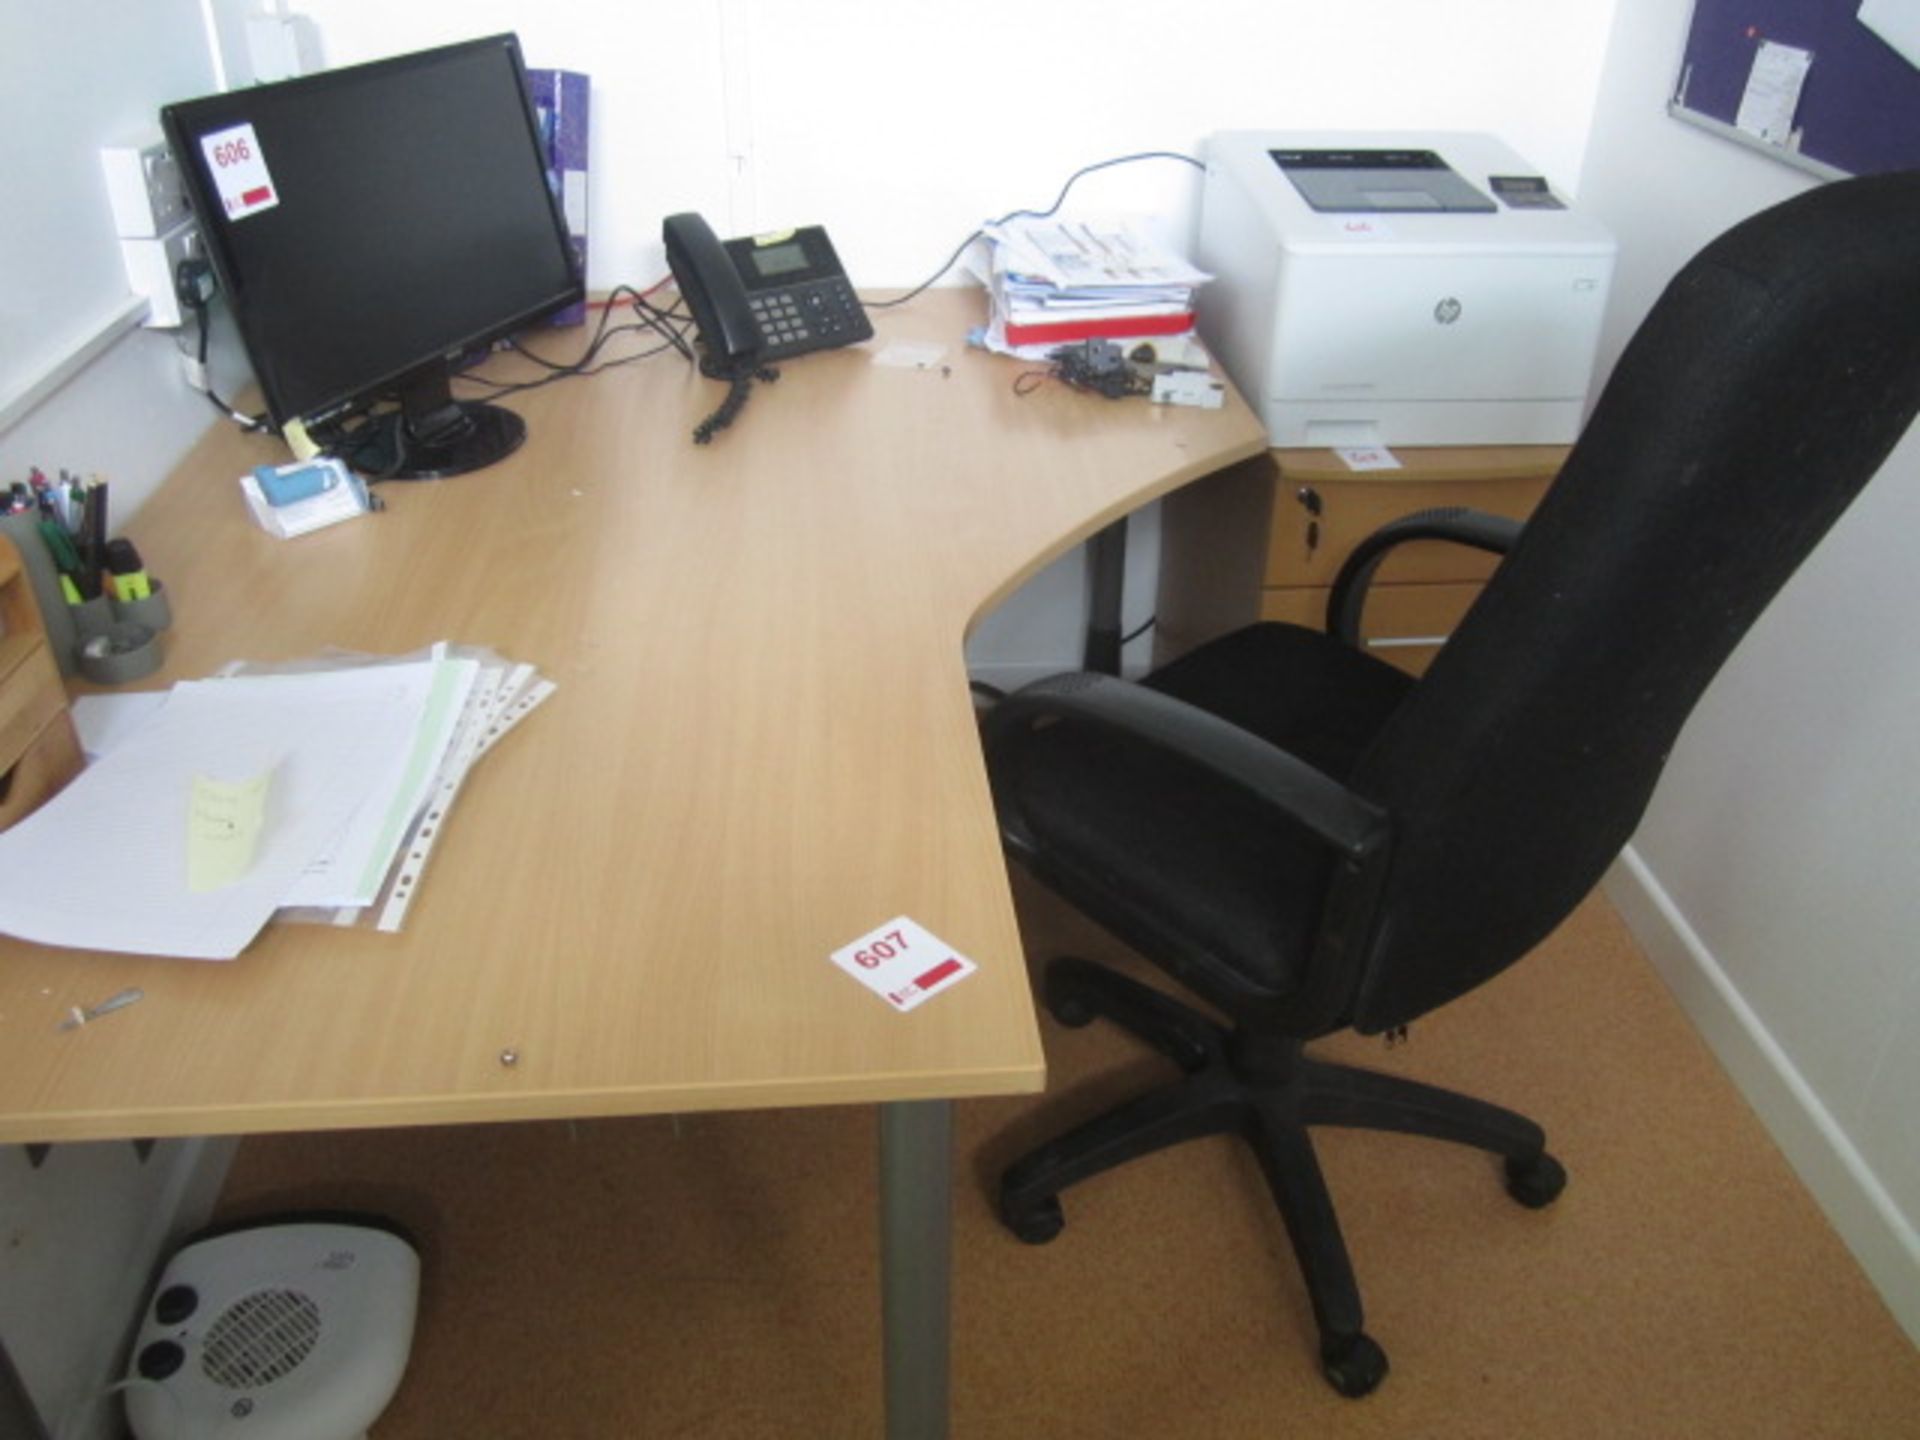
{"x": 1399, "y": 291}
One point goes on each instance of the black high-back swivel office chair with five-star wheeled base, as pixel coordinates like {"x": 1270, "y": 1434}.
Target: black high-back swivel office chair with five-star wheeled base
{"x": 1310, "y": 840}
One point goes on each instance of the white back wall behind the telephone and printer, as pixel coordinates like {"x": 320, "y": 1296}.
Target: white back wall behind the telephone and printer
{"x": 903, "y": 126}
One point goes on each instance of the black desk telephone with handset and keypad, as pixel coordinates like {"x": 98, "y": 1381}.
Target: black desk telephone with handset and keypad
{"x": 763, "y": 299}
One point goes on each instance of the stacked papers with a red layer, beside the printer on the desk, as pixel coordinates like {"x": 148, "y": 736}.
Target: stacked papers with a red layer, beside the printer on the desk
{"x": 1055, "y": 283}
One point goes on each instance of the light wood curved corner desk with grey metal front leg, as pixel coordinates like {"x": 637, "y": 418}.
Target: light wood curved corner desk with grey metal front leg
{"x": 761, "y": 748}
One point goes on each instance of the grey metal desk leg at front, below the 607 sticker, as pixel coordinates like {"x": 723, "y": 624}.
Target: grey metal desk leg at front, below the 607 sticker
{"x": 915, "y": 1262}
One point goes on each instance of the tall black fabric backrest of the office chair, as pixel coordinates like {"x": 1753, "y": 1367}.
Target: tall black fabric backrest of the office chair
{"x": 1758, "y": 398}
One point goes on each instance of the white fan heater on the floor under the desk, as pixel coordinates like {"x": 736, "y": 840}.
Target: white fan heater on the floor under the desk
{"x": 285, "y": 1332}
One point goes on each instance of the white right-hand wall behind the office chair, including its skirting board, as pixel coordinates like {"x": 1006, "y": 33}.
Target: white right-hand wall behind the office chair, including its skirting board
{"x": 1775, "y": 875}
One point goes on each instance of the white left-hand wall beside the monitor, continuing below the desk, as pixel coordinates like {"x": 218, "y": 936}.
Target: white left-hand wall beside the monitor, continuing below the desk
{"x": 80, "y": 1236}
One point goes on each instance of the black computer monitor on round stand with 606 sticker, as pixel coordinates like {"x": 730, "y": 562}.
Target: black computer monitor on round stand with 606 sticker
{"x": 375, "y": 224}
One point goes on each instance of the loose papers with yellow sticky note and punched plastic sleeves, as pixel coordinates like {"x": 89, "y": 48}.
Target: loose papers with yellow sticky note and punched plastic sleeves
{"x": 300, "y": 792}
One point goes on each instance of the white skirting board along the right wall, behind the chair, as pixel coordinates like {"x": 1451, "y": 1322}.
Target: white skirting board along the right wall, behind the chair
{"x": 1827, "y": 1163}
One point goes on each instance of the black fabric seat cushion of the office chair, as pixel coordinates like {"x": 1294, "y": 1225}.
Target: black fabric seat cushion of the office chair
{"x": 1211, "y": 884}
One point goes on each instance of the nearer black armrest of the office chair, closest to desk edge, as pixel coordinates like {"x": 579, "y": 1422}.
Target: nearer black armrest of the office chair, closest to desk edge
{"x": 1328, "y": 809}
